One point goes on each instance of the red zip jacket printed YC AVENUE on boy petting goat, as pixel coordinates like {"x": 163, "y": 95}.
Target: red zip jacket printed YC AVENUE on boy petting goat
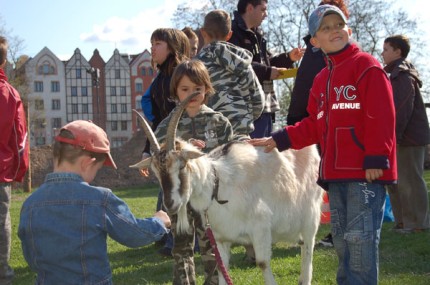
{"x": 352, "y": 117}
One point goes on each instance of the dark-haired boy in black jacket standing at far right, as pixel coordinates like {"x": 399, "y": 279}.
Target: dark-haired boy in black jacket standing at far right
{"x": 409, "y": 199}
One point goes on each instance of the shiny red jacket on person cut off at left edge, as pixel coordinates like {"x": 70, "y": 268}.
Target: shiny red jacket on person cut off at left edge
{"x": 14, "y": 145}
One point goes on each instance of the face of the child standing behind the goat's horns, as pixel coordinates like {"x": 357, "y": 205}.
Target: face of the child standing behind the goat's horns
{"x": 185, "y": 88}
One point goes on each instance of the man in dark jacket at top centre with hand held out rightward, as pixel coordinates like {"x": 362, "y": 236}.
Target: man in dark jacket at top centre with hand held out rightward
{"x": 246, "y": 34}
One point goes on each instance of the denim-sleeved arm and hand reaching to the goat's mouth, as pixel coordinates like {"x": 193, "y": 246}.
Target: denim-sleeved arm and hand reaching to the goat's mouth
{"x": 123, "y": 227}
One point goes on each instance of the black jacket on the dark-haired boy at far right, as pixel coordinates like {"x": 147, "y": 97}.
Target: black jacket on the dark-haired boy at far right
{"x": 412, "y": 126}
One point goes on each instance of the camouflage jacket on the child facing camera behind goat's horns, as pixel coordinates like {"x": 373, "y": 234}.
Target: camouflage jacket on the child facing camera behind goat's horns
{"x": 209, "y": 126}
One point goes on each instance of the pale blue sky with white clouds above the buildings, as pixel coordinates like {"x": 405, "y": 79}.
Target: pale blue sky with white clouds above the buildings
{"x": 63, "y": 26}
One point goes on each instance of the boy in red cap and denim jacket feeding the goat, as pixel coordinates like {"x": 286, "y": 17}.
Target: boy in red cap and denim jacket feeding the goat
{"x": 65, "y": 222}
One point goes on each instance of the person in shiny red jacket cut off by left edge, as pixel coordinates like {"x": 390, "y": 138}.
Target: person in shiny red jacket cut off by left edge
{"x": 13, "y": 157}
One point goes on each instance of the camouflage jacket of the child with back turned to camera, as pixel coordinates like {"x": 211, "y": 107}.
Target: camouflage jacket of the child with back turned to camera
{"x": 239, "y": 95}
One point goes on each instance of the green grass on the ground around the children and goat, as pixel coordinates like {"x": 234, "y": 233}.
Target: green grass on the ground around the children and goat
{"x": 404, "y": 259}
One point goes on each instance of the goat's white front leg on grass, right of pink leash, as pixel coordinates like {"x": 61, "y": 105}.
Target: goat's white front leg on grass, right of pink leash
{"x": 262, "y": 243}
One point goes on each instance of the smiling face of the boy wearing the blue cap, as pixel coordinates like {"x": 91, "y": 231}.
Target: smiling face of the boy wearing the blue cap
{"x": 333, "y": 34}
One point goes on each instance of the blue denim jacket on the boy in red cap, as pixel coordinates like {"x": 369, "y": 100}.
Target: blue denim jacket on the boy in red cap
{"x": 64, "y": 225}
